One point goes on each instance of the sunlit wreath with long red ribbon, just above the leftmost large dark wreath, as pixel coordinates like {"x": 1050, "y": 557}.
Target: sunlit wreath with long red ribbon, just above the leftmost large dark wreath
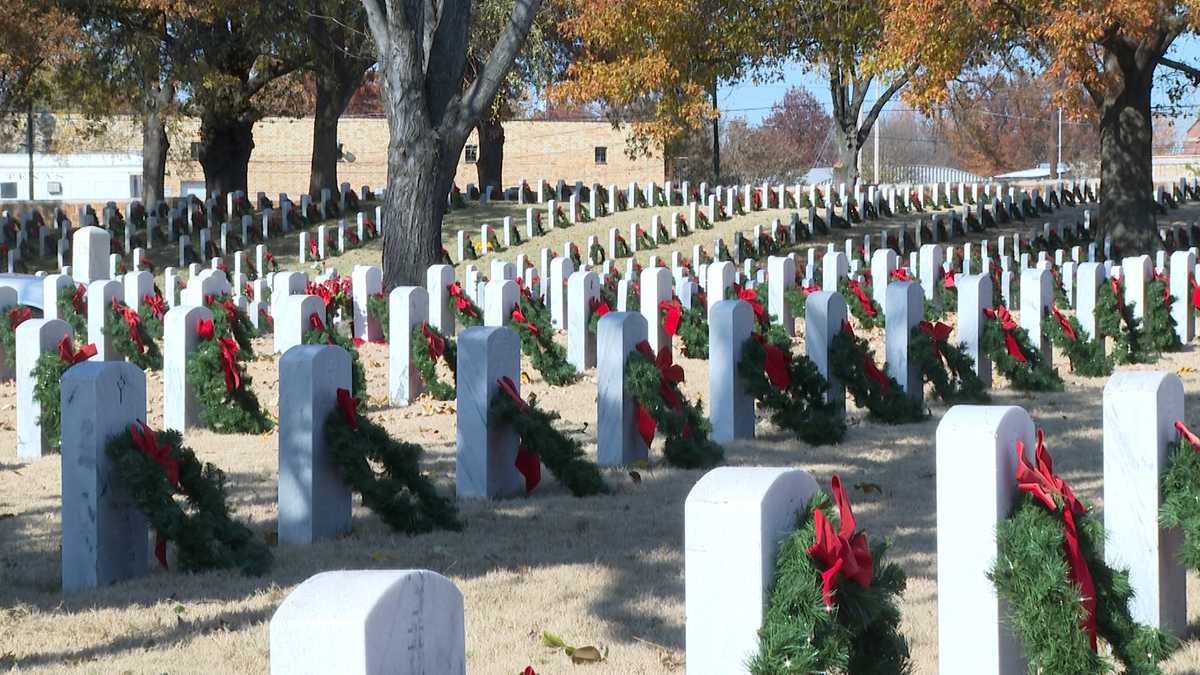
{"x": 221, "y": 385}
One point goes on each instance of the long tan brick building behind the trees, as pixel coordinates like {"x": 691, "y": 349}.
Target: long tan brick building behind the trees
{"x": 592, "y": 152}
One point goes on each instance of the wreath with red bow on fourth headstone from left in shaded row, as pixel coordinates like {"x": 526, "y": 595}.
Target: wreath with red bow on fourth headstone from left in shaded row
{"x": 653, "y": 383}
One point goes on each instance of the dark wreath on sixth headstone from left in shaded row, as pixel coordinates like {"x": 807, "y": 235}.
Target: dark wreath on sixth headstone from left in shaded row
{"x": 853, "y": 363}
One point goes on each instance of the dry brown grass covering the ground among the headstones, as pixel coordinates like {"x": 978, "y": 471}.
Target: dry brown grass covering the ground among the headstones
{"x": 605, "y": 571}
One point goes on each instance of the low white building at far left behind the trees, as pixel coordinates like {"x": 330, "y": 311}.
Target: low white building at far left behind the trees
{"x": 98, "y": 177}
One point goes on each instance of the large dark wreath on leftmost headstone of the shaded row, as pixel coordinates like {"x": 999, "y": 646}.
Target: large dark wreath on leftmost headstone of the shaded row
{"x": 154, "y": 469}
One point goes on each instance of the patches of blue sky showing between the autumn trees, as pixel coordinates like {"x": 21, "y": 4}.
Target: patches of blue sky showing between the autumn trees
{"x": 753, "y": 103}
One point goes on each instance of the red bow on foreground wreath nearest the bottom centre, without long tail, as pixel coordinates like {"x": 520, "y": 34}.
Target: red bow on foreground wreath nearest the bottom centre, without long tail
{"x": 844, "y": 552}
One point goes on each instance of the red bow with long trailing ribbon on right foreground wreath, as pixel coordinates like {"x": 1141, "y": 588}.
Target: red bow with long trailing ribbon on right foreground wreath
{"x": 1049, "y": 489}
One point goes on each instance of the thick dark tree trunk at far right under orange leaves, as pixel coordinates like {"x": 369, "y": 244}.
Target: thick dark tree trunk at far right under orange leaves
{"x": 1127, "y": 139}
